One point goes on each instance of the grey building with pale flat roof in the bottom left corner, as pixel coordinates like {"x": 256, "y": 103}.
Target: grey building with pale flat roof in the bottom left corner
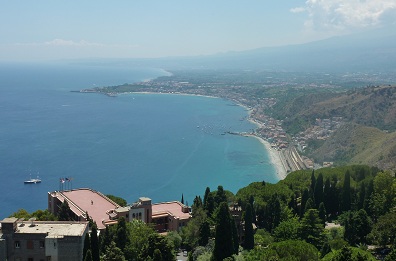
{"x": 41, "y": 240}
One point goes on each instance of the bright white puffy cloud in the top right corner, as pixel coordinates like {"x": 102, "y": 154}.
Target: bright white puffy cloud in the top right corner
{"x": 345, "y": 15}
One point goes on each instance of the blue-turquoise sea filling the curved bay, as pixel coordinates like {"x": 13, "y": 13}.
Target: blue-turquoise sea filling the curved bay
{"x": 154, "y": 145}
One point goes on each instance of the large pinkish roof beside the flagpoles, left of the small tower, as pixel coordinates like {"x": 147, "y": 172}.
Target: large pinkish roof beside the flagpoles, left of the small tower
{"x": 96, "y": 204}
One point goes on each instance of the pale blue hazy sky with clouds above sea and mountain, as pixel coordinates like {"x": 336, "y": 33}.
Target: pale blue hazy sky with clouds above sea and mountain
{"x": 50, "y": 29}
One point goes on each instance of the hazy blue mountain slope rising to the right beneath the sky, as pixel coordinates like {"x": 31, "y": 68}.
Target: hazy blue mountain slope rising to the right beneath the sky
{"x": 367, "y": 51}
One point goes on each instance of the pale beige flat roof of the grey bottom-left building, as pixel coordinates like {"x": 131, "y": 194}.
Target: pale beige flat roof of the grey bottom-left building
{"x": 53, "y": 229}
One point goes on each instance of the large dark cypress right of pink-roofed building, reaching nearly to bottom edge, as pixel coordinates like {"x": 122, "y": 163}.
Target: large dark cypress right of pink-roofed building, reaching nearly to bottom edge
{"x": 224, "y": 245}
